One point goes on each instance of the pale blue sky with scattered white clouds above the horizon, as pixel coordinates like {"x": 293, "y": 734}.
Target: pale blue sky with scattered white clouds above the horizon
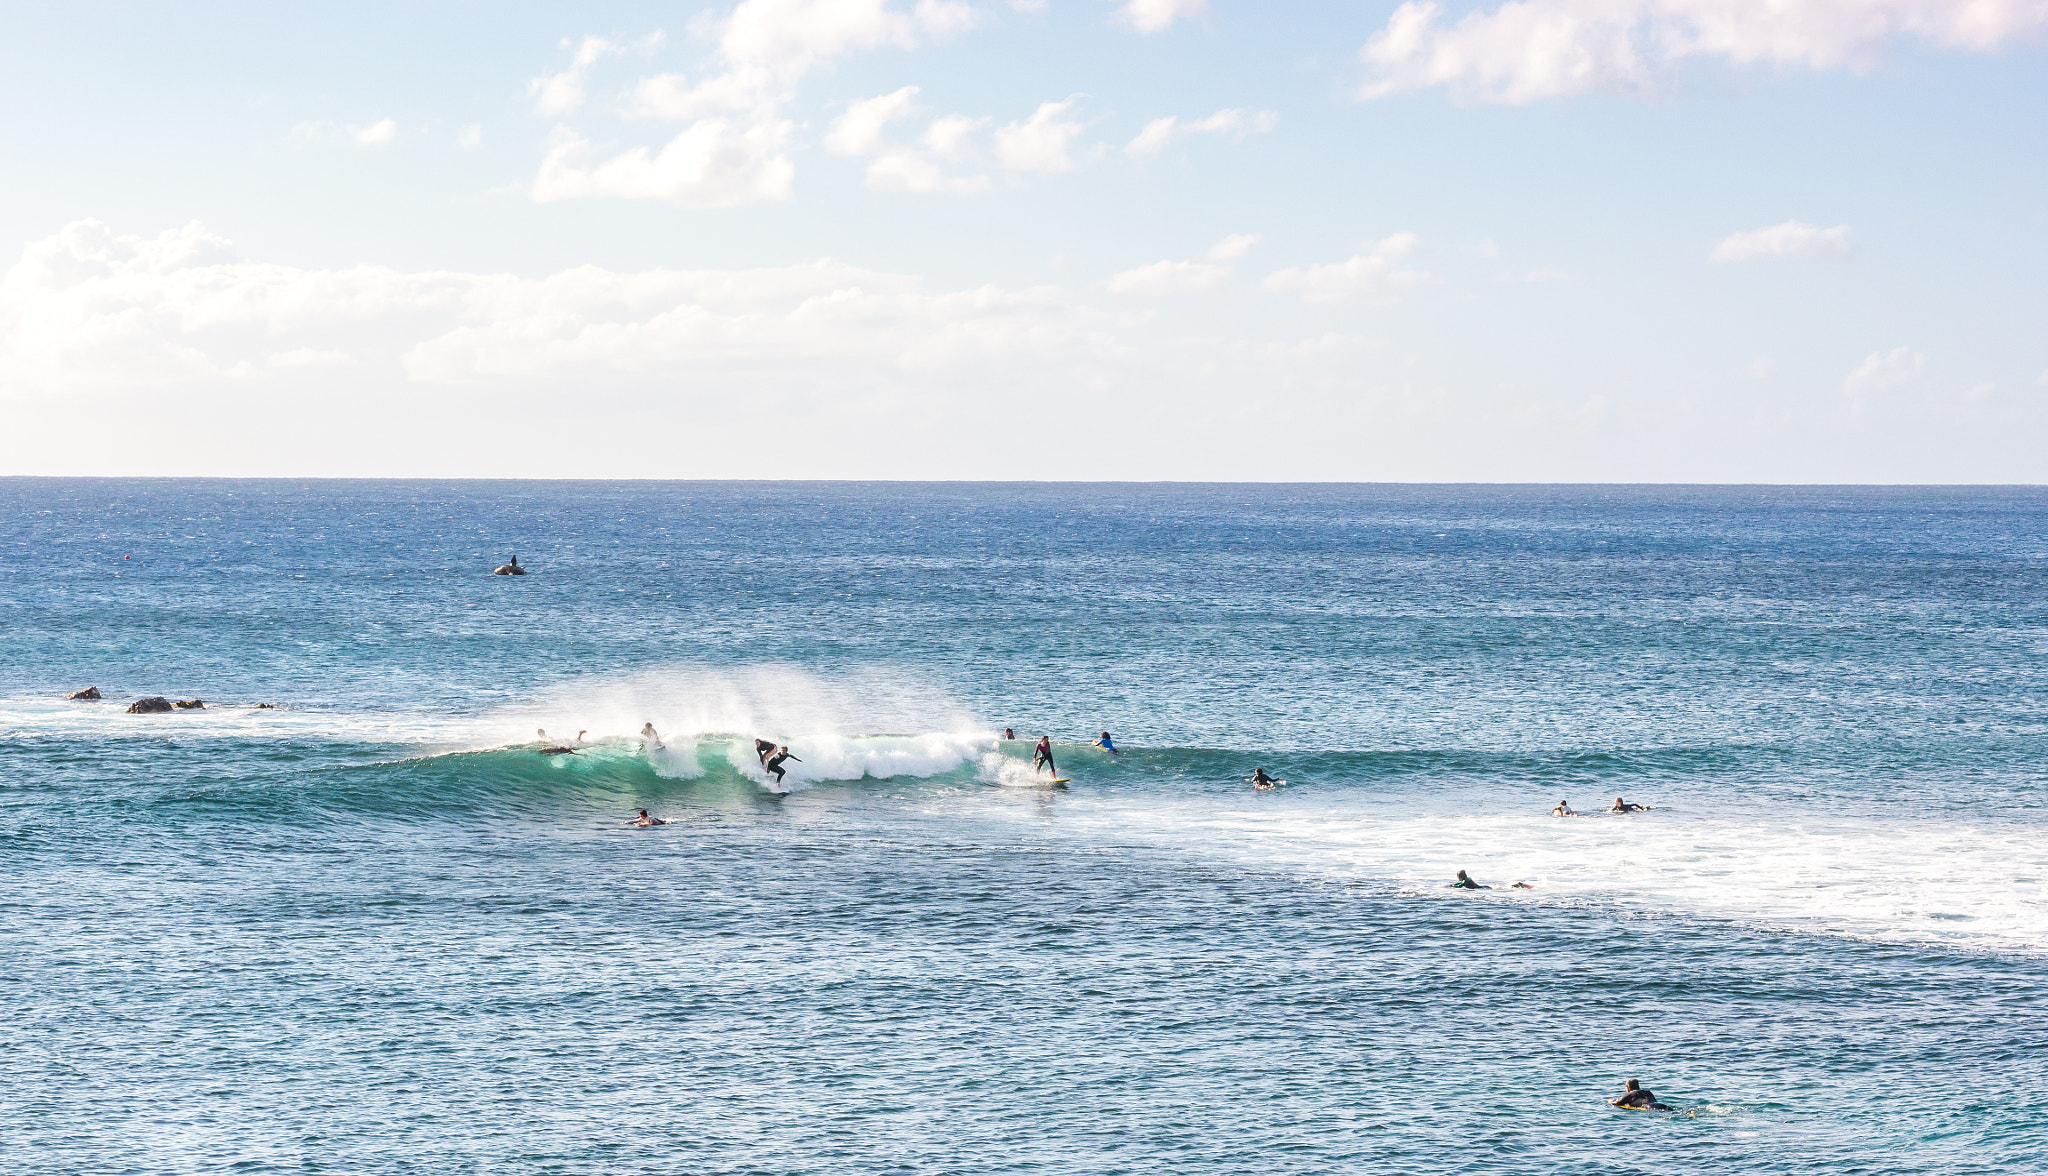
{"x": 1533, "y": 241}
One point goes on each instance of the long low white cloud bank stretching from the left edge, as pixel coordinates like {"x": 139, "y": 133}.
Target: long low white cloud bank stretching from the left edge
{"x": 95, "y": 310}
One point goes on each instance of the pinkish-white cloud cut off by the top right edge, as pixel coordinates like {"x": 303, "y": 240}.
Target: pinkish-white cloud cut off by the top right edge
{"x": 1533, "y": 50}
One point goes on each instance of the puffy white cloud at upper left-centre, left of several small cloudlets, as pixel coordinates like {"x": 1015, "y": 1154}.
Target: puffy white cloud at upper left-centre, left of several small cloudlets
{"x": 712, "y": 165}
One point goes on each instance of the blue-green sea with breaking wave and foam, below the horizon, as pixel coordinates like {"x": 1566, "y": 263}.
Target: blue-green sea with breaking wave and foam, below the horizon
{"x": 376, "y": 931}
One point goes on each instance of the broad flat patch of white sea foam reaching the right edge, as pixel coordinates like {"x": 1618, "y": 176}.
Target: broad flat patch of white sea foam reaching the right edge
{"x": 1979, "y": 884}
